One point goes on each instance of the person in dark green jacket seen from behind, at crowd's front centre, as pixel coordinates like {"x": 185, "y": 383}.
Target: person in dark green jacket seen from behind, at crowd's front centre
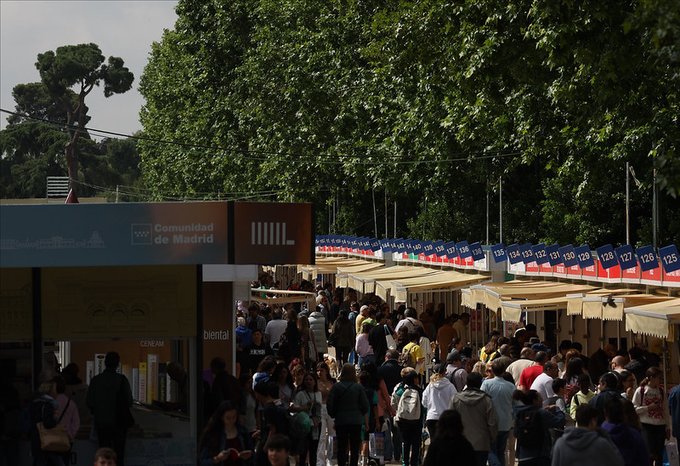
{"x": 347, "y": 405}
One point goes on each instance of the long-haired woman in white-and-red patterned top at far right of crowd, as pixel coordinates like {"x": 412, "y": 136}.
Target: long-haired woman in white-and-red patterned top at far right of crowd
{"x": 652, "y": 407}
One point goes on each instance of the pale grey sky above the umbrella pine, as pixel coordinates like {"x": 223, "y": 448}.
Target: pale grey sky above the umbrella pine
{"x": 123, "y": 28}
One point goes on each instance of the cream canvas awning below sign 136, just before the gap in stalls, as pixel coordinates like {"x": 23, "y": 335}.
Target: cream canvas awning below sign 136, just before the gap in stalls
{"x": 443, "y": 280}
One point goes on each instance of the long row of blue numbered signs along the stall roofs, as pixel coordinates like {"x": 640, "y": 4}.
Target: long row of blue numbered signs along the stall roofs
{"x": 625, "y": 256}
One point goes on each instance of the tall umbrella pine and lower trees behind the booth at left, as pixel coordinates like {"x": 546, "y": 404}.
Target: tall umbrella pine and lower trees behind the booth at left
{"x": 49, "y": 122}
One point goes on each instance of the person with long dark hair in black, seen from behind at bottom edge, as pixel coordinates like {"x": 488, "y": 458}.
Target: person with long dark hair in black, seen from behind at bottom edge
{"x": 448, "y": 440}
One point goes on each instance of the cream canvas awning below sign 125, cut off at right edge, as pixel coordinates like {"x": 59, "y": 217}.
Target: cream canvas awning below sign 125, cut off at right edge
{"x": 655, "y": 319}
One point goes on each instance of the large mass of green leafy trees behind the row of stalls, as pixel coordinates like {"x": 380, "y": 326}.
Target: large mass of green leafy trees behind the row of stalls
{"x": 429, "y": 103}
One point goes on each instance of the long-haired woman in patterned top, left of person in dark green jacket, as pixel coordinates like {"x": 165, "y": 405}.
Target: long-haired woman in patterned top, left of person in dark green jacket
{"x": 308, "y": 400}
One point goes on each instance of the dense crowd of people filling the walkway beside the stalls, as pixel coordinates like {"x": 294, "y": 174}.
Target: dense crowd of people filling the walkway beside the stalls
{"x": 415, "y": 381}
